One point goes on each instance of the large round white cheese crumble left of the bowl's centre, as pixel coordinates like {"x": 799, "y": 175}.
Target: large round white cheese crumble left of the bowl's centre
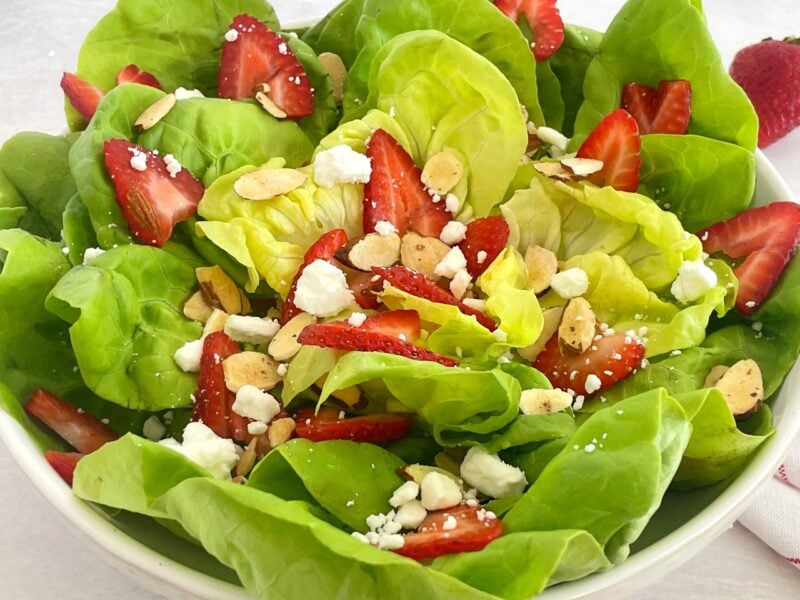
{"x": 322, "y": 290}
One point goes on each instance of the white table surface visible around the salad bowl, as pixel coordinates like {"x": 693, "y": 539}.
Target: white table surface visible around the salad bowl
{"x": 39, "y": 557}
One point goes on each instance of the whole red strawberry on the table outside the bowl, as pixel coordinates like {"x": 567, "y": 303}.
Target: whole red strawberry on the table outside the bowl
{"x": 769, "y": 73}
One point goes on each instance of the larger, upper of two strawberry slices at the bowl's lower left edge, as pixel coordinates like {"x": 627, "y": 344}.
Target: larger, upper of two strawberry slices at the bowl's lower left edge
{"x": 79, "y": 429}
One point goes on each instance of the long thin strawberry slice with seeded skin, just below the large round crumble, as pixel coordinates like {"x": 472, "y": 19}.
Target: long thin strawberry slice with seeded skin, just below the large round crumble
{"x": 343, "y": 336}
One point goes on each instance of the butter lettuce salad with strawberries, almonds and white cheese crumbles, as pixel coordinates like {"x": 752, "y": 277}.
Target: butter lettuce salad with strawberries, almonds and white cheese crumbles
{"x": 431, "y": 299}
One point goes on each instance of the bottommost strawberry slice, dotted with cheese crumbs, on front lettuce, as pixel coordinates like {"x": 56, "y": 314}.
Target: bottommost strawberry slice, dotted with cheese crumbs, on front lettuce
{"x": 475, "y": 528}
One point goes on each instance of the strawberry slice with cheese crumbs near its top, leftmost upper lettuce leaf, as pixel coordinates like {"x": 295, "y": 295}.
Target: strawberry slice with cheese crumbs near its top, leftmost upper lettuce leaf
{"x": 153, "y": 200}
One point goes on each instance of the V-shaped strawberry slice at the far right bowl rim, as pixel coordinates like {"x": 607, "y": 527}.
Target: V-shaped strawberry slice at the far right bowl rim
{"x": 767, "y": 236}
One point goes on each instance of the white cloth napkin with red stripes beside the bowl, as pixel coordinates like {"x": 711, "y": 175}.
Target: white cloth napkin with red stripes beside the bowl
{"x": 774, "y": 514}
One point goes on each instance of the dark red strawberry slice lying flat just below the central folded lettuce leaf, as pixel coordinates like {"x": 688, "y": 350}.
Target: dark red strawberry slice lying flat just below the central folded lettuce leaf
{"x": 373, "y": 429}
